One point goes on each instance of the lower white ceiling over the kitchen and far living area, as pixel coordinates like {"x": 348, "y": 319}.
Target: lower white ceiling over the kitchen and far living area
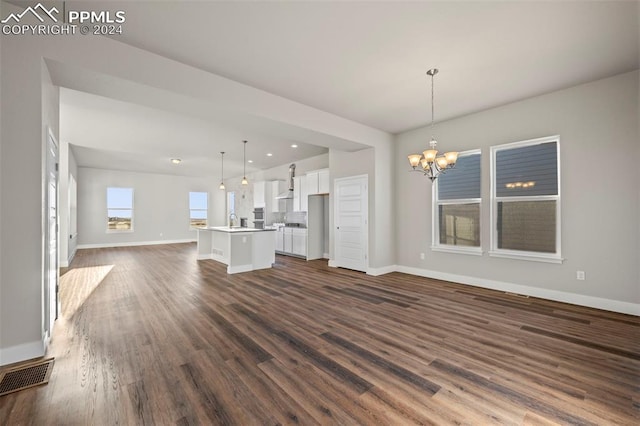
{"x": 112, "y": 134}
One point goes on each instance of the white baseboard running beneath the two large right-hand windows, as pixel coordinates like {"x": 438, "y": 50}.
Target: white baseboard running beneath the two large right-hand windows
{"x": 543, "y": 293}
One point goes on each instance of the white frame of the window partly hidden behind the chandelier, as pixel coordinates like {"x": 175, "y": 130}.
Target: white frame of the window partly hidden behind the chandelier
{"x": 435, "y": 222}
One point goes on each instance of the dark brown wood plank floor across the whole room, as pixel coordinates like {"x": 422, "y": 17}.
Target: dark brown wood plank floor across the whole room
{"x": 149, "y": 335}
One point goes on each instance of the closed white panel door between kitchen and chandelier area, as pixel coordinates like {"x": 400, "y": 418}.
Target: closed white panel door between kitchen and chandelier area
{"x": 351, "y": 223}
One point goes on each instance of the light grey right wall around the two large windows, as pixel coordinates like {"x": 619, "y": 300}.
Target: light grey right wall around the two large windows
{"x": 598, "y": 127}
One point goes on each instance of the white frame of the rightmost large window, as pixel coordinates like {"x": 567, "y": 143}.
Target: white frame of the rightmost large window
{"x": 518, "y": 254}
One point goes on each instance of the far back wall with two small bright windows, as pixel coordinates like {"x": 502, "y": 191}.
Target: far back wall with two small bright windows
{"x": 161, "y": 206}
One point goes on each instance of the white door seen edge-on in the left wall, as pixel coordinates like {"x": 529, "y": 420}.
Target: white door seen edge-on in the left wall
{"x": 51, "y": 237}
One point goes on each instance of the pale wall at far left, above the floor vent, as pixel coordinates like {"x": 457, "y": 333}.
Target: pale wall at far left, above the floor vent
{"x": 30, "y": 108}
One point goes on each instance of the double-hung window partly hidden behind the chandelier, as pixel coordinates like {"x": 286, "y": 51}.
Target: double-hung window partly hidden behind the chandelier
{"x": 456, "y": 216}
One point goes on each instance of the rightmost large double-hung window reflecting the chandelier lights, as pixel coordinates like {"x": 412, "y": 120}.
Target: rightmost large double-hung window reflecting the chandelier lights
{"x": 525, "y": 208}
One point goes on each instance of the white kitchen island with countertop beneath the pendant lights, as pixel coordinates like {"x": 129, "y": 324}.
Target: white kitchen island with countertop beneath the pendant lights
{"x": 241, "y": 249}
